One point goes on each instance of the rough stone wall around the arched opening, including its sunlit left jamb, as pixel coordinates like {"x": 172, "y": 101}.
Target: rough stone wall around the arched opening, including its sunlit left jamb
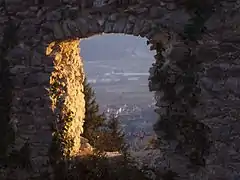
{"x": 46, "y": 71}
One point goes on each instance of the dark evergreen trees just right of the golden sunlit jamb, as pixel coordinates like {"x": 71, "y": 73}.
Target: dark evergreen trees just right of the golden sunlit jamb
{"x": 103, "y": 133}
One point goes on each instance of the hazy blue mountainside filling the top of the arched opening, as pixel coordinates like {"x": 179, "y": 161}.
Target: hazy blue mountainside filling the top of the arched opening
{"x": 114, "y": 47}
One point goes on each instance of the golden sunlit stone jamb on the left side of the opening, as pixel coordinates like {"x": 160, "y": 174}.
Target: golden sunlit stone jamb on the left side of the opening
{"x": 66, "y": 93}
